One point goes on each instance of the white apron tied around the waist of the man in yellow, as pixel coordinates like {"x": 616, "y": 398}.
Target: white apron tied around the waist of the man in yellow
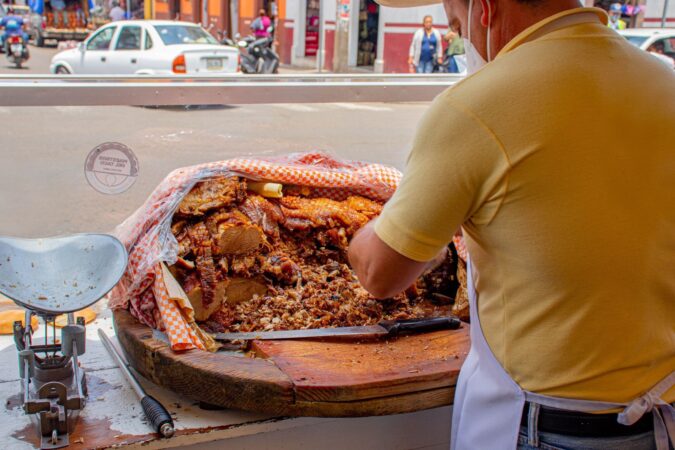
{"x": 489, "y": 404}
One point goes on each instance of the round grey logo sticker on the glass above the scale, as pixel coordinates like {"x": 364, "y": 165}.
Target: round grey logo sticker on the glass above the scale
{"x": 111, "y": 168}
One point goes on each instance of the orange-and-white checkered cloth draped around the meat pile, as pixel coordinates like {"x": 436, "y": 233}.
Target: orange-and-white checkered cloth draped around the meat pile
{"x": 149, "y": 241}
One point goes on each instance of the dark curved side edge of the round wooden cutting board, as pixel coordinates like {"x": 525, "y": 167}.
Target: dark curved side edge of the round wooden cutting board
{"x": 249, "y": 391}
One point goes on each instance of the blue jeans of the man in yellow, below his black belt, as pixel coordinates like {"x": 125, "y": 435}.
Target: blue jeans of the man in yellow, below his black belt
{"x": 551, "y": 441}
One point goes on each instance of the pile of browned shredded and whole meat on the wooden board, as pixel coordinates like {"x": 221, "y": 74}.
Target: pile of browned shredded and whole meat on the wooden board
{"x": 251, "y": 263}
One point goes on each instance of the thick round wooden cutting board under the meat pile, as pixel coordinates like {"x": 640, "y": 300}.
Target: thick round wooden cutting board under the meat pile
{"x": 307, "y": 377}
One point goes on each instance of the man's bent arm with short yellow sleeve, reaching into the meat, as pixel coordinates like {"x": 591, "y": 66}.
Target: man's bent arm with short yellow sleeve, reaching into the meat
{"x": 454, "y": 166}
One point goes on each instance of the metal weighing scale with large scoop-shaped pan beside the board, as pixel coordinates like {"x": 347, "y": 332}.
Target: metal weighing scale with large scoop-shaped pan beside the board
{"x": 50, "y": 277}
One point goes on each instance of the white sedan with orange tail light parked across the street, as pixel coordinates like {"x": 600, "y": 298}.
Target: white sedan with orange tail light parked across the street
{"x": 148, "y": 47}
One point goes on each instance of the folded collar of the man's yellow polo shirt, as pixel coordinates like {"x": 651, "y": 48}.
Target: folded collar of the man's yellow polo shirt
{"x": 556, "y": 22}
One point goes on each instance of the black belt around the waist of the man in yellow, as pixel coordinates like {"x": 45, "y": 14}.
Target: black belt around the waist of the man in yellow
{"x": 571, "y": 423}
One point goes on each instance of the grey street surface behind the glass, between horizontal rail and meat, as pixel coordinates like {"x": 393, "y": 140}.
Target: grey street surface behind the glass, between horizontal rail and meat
{"x": 44, "y": 192}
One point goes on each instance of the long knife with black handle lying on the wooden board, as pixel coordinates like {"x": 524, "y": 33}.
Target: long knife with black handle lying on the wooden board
{"x": 387, "y": 328}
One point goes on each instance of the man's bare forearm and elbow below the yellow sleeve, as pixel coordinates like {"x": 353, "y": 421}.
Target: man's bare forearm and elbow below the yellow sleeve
{"x": 380, "y": 269}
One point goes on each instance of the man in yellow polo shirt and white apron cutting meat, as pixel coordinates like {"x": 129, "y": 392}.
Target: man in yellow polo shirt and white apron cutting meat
{"x": 570, "y": 231}
